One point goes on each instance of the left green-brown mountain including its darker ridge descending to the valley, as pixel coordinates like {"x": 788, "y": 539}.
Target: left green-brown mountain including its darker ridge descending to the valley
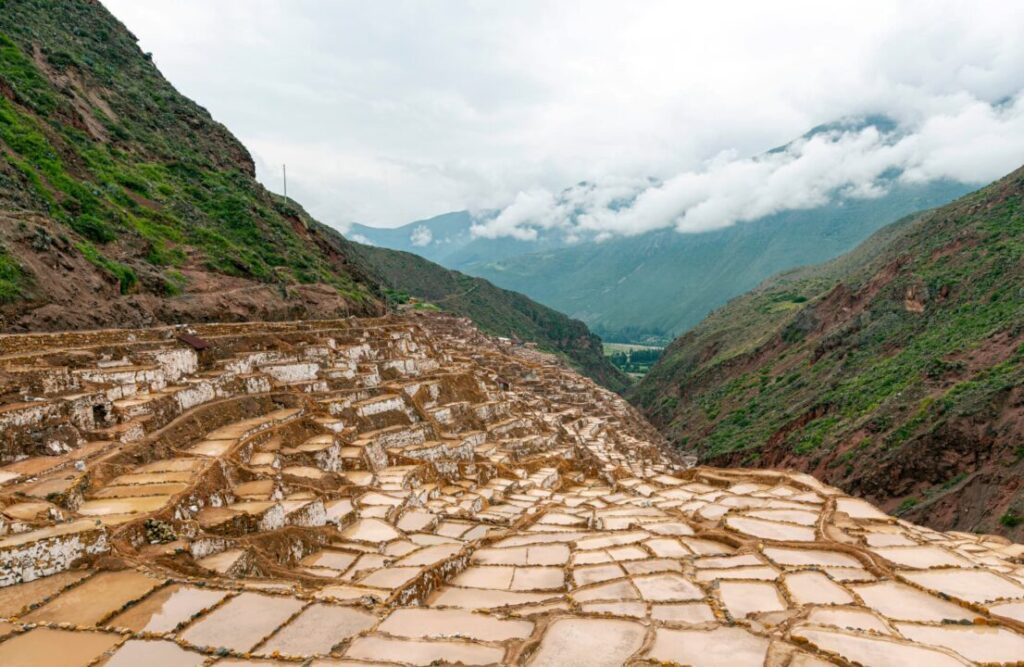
{"x": 123, "y": 203}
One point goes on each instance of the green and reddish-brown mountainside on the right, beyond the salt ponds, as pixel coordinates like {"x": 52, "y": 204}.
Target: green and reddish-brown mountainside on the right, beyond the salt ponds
{"x": 895, "y": 371}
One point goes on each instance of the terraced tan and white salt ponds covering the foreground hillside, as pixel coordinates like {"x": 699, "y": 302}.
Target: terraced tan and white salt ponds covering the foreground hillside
{"x": 406, "y": 491}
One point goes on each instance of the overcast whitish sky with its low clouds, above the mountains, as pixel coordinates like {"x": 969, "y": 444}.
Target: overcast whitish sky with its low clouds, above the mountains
{"x": 593, "y": 117}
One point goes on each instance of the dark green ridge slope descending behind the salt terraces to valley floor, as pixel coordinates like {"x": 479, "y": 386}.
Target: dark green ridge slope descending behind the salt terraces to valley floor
{"x": 496, "y": 311}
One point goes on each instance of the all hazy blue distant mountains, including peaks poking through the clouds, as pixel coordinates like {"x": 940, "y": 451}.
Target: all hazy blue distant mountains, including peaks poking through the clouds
{"x": 651, "y": 288}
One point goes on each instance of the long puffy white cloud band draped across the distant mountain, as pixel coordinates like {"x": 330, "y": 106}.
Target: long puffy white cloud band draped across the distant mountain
{"x": 976, "y": 144}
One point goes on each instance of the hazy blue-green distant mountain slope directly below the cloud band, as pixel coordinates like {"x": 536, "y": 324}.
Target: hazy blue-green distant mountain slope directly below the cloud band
{"x": 653, "y": 287}
